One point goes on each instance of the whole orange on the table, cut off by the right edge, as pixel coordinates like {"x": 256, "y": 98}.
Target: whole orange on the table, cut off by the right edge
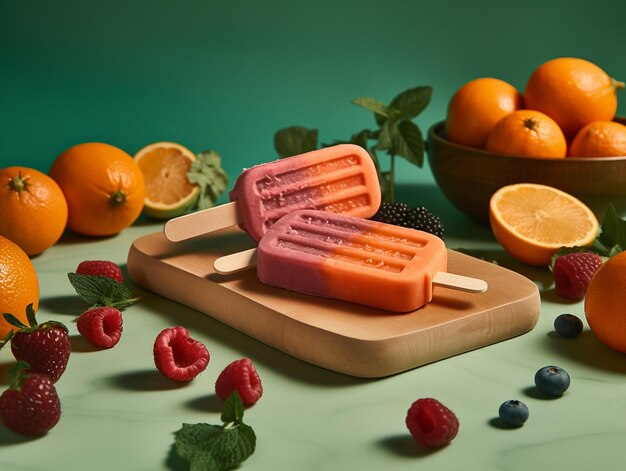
{"x": 605, "y": 299}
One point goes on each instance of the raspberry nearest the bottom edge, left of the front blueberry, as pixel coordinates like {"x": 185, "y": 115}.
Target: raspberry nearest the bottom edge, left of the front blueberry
{"x": 431, "y": 423}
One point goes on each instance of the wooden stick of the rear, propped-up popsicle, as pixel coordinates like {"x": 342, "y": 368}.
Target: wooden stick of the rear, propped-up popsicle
{"x": 203, "y": 222}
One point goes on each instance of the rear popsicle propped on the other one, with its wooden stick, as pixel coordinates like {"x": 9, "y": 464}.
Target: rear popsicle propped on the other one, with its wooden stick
{"x": 338, "y": 179}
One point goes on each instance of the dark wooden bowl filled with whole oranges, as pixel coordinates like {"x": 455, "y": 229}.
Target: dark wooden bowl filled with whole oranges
{"x": 562, "y": 132}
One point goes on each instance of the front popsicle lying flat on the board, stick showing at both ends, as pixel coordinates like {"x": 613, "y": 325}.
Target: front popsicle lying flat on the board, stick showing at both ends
{"x": 351, "y": 259}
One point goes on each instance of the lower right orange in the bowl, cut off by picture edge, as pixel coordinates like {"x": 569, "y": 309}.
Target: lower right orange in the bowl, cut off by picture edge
{"x": 600, "y": 139}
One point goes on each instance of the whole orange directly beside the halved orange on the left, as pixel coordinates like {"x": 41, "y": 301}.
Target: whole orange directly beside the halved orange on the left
{"x": 103, "y": 186}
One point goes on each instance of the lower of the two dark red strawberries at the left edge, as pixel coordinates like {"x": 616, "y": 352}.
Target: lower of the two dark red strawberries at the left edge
{"x": 31, "y": 405}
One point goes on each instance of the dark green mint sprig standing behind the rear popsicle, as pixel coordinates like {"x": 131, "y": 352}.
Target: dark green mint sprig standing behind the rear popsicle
{"x": 396, "y": 134}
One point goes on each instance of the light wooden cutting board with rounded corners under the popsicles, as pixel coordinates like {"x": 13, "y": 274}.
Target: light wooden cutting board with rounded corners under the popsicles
{"x": 344, "y": 337}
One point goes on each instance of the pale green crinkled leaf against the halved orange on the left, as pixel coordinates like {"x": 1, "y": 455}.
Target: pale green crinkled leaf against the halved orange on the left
{"x": 207, "y": 172}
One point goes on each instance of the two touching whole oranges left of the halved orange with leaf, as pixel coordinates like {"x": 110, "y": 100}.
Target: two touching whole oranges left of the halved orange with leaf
{"x": 93, "y": 189}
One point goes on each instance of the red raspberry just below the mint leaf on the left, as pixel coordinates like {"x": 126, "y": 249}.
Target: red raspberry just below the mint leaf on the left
{"x": 101, "y": 326}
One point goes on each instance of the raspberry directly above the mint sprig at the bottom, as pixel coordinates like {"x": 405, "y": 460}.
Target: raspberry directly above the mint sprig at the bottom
{"x": 239, "y": 376}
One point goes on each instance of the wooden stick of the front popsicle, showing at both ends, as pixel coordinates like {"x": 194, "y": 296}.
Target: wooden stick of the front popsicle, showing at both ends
{"x": 240, "y": 261}
